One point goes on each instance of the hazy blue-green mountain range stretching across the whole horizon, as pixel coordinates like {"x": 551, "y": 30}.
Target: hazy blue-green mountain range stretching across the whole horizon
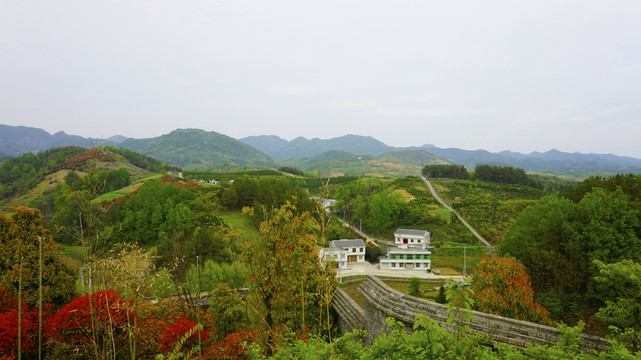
{"x": 199, "y": 149}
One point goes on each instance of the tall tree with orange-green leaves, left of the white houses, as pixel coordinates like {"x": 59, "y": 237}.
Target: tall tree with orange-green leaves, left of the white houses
{"x": 284, "y": 274}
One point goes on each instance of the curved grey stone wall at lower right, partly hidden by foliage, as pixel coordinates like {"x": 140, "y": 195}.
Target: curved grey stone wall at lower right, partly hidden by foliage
{"x": 382, "y": 302}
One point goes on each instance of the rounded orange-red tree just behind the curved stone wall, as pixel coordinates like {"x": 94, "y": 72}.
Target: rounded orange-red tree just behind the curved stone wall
{"x": 502, "y": 287}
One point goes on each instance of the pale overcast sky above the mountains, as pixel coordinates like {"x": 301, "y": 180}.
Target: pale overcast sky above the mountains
{"x": 494, "y": 75}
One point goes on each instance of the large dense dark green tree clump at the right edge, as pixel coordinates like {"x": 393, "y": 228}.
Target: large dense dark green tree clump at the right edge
{"x": 558, "y": 240}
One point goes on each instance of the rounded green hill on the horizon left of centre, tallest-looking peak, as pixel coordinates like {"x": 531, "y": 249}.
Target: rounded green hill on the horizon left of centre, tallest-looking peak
{"x": 198, "y": 149}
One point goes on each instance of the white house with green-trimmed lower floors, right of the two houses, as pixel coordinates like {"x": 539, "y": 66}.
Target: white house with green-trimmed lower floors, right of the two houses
{"x": 411, "y": 251}
